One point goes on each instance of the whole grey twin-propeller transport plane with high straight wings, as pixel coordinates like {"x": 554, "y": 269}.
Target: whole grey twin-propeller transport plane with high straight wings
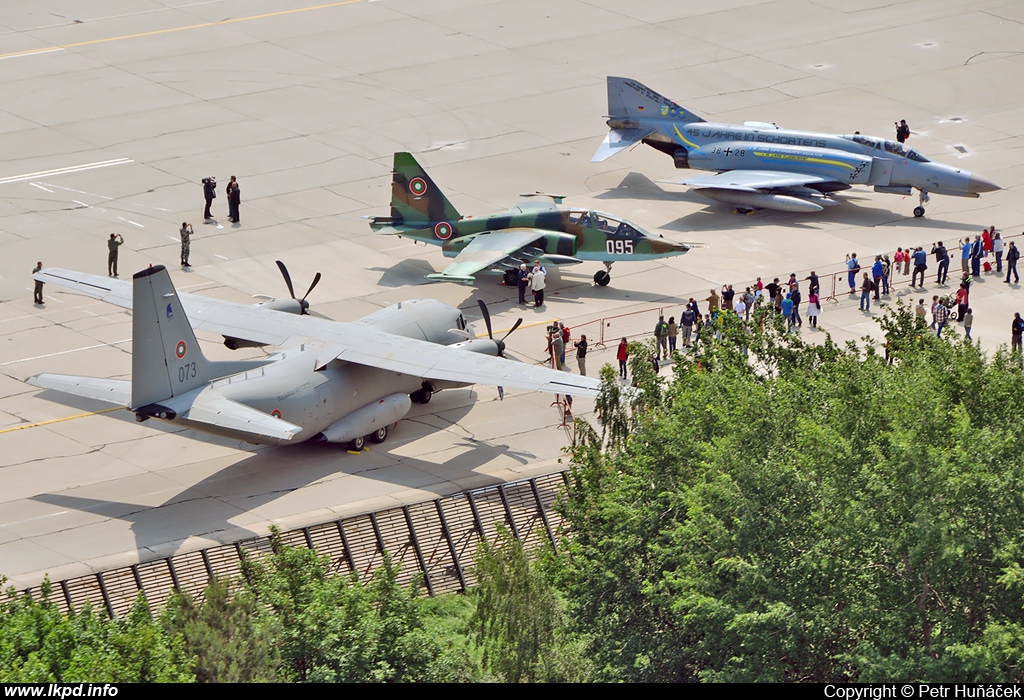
{"x": 329, "y": 381}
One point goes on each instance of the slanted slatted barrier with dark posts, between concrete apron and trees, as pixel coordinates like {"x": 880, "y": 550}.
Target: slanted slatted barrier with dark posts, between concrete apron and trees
{"x": 436, "y": 540}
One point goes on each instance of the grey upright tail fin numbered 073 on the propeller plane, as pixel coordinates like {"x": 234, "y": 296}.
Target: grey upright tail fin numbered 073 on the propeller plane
{"x": 166, "y": 360}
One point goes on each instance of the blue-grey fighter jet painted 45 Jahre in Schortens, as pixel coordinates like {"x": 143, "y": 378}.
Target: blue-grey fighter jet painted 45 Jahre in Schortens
{"x": 760, "y": 166}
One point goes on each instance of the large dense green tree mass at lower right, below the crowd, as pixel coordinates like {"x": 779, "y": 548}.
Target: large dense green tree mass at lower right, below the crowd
{"x": 792, "y": 512}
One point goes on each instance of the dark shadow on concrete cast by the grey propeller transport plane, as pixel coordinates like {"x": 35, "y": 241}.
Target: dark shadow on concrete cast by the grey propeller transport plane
{"x": 272, "y": 473}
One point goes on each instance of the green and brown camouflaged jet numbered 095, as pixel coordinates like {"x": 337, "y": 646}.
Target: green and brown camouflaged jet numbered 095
{"x": 527, "y": 233}
